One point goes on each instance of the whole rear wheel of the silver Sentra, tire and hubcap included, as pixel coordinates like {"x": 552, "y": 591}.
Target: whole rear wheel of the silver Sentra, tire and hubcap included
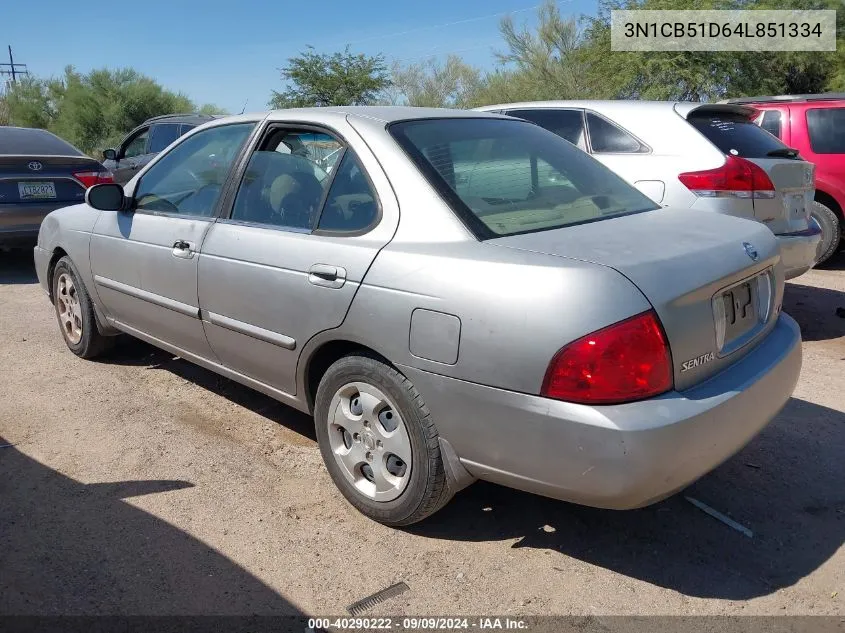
{"x": 378, "y": 441}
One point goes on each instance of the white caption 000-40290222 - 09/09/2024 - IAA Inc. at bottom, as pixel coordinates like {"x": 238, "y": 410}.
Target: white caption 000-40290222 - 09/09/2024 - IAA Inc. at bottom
{"x": 418, "y": 624}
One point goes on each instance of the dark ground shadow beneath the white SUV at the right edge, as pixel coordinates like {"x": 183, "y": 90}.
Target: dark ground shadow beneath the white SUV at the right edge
{"x": 817, "y": 311}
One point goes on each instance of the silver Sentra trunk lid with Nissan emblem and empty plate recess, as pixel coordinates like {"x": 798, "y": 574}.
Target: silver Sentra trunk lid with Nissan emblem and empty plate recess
{"x": 695, "y": 270}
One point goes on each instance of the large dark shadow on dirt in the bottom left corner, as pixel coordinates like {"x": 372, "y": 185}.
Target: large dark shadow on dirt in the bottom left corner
{"x": 70, "y": 548}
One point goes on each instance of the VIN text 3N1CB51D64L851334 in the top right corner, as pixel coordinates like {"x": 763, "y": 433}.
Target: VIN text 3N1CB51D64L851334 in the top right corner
{"x": 723, "y": 29}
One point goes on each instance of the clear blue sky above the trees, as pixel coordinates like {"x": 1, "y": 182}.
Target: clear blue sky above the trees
{"x": 229, "y": 53}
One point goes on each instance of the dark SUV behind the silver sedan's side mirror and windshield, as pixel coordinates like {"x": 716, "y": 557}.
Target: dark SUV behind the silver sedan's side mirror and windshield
{"x": 143, "y": 143}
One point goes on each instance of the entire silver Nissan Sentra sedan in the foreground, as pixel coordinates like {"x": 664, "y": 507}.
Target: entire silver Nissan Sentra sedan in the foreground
{"x": 461, "y": 296}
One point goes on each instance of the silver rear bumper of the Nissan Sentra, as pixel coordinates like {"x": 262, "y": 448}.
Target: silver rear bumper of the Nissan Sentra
{"x": 622, "y": 456}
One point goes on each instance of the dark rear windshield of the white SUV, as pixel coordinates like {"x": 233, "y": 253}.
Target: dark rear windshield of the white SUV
{"x": 735, "y": 134}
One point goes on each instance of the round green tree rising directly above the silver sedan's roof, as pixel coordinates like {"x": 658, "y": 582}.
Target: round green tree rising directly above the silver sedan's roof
{"x": 319, "y": 79}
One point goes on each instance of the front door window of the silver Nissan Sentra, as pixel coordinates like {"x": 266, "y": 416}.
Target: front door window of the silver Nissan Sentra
{"x": 188, "y": 179}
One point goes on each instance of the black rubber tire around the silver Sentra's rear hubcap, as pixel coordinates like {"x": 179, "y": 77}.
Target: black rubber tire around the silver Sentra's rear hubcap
{"x": 427, "y": 489}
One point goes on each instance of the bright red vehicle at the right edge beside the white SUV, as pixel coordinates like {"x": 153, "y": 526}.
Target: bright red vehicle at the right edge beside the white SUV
{"x": 815, "y": 126}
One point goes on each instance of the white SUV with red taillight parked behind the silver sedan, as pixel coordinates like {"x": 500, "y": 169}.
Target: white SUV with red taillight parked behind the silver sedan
{"x": 707, "y": 157}
